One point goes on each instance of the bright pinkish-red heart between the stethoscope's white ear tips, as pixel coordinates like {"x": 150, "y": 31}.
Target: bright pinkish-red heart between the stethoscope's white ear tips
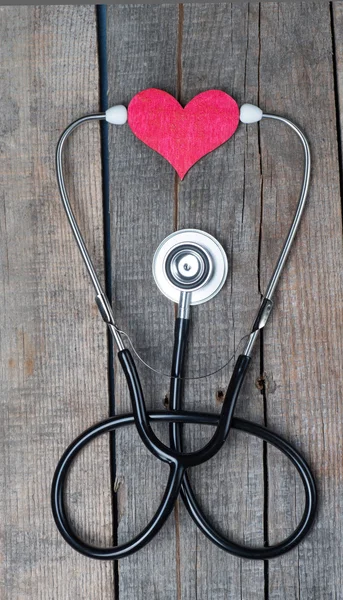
{"x": 183, "y": 135}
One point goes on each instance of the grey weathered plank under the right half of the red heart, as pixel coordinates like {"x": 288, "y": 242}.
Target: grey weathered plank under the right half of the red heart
{"x": 221, "y": 195}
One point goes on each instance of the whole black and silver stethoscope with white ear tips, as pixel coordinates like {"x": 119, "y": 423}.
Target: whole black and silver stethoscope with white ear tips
{"x": 189, "y": 267}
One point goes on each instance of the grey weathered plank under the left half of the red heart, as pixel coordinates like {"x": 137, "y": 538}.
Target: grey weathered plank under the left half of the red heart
{"x": 142, "y": 43}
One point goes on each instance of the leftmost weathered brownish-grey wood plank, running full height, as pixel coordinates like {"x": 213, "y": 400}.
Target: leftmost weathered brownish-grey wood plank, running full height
{"x": 53, "y": 344}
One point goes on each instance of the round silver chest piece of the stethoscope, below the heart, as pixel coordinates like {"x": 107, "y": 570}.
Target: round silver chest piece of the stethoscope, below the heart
{"x": 190, "y": 261}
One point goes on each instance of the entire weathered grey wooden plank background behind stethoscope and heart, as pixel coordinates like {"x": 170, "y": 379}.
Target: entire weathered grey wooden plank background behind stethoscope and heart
{"x": 55, "y": 367}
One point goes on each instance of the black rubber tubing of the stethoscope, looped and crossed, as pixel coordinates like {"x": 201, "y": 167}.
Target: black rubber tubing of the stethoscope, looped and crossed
{"x": 179, "y": 461}
